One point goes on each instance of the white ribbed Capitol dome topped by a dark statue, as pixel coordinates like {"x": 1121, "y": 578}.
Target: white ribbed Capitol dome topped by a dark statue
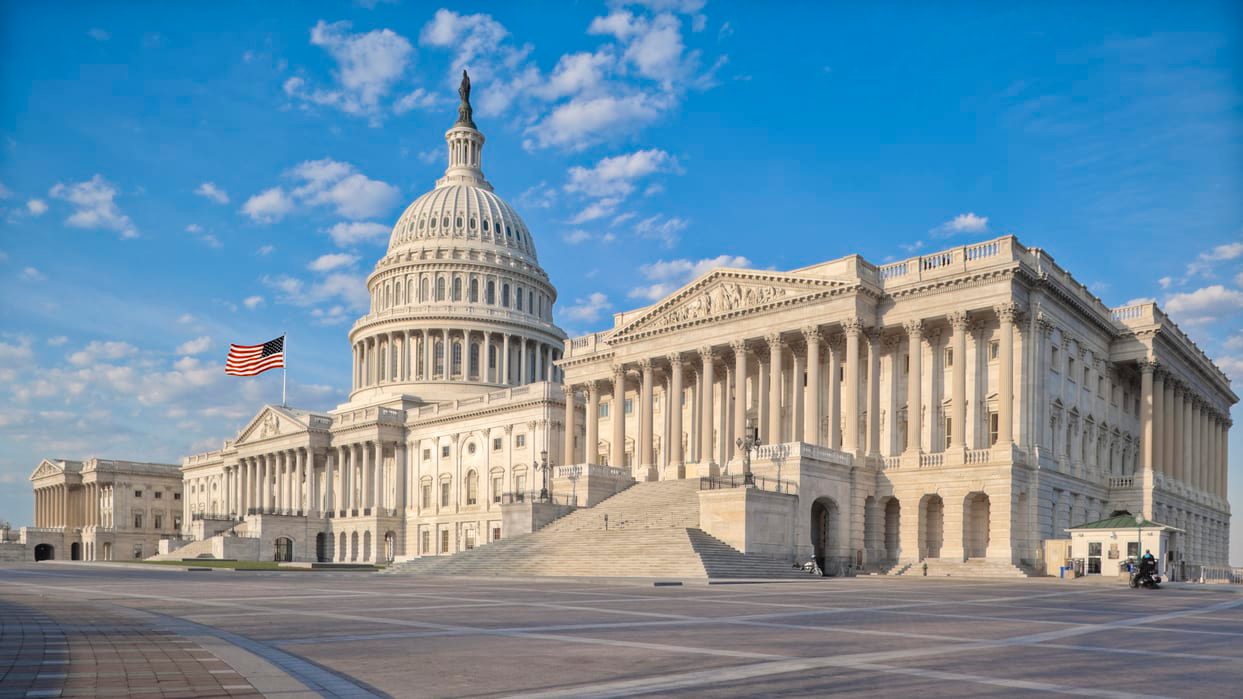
{"x": 459, "y": 304}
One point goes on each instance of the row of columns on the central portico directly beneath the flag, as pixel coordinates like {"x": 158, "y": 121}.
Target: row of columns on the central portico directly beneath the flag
{"x": 345, "y": 481}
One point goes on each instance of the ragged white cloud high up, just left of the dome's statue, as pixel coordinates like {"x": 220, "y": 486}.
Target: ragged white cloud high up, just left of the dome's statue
{"x": 369, "y": 68}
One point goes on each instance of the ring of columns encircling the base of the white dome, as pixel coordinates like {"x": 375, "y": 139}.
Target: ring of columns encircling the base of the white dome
{"x": 453, "y": 355}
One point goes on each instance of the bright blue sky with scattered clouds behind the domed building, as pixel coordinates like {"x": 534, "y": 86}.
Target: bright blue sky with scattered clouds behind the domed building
{"x": 175, "y": 177}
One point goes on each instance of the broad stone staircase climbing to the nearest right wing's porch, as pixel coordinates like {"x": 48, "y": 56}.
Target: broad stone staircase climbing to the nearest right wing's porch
{"x": 653, "y": 532}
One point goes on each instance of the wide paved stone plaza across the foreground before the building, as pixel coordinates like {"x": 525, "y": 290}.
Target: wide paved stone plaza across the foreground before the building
{"x": 108, "y": 630}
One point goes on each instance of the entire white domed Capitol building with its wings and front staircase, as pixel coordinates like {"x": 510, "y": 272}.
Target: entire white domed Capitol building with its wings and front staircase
{"x": 959, "y": 409}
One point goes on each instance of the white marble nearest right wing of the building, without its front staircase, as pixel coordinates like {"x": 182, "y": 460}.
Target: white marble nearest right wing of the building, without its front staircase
{"x": 1035, "y": 406}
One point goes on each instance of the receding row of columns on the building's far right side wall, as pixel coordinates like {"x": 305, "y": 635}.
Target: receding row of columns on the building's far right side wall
{"x": 1185, "y": 438}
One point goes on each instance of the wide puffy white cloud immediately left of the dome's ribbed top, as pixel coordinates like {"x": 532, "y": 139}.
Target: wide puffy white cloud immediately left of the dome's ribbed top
{"x": 325, "y": 183}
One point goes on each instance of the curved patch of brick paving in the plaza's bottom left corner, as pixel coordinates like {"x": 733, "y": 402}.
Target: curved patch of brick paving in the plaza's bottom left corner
{"x": 54, "y": 647}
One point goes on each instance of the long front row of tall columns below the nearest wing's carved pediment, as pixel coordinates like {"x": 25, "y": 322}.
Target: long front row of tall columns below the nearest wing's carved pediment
{"x": 840, "y": 415}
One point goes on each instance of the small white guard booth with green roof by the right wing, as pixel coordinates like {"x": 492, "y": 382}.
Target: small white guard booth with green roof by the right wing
{"x": 1107, "y": 545}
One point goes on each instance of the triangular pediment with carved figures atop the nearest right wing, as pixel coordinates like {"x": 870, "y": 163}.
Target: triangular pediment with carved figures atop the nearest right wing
{"x": 723, "y": 294}
